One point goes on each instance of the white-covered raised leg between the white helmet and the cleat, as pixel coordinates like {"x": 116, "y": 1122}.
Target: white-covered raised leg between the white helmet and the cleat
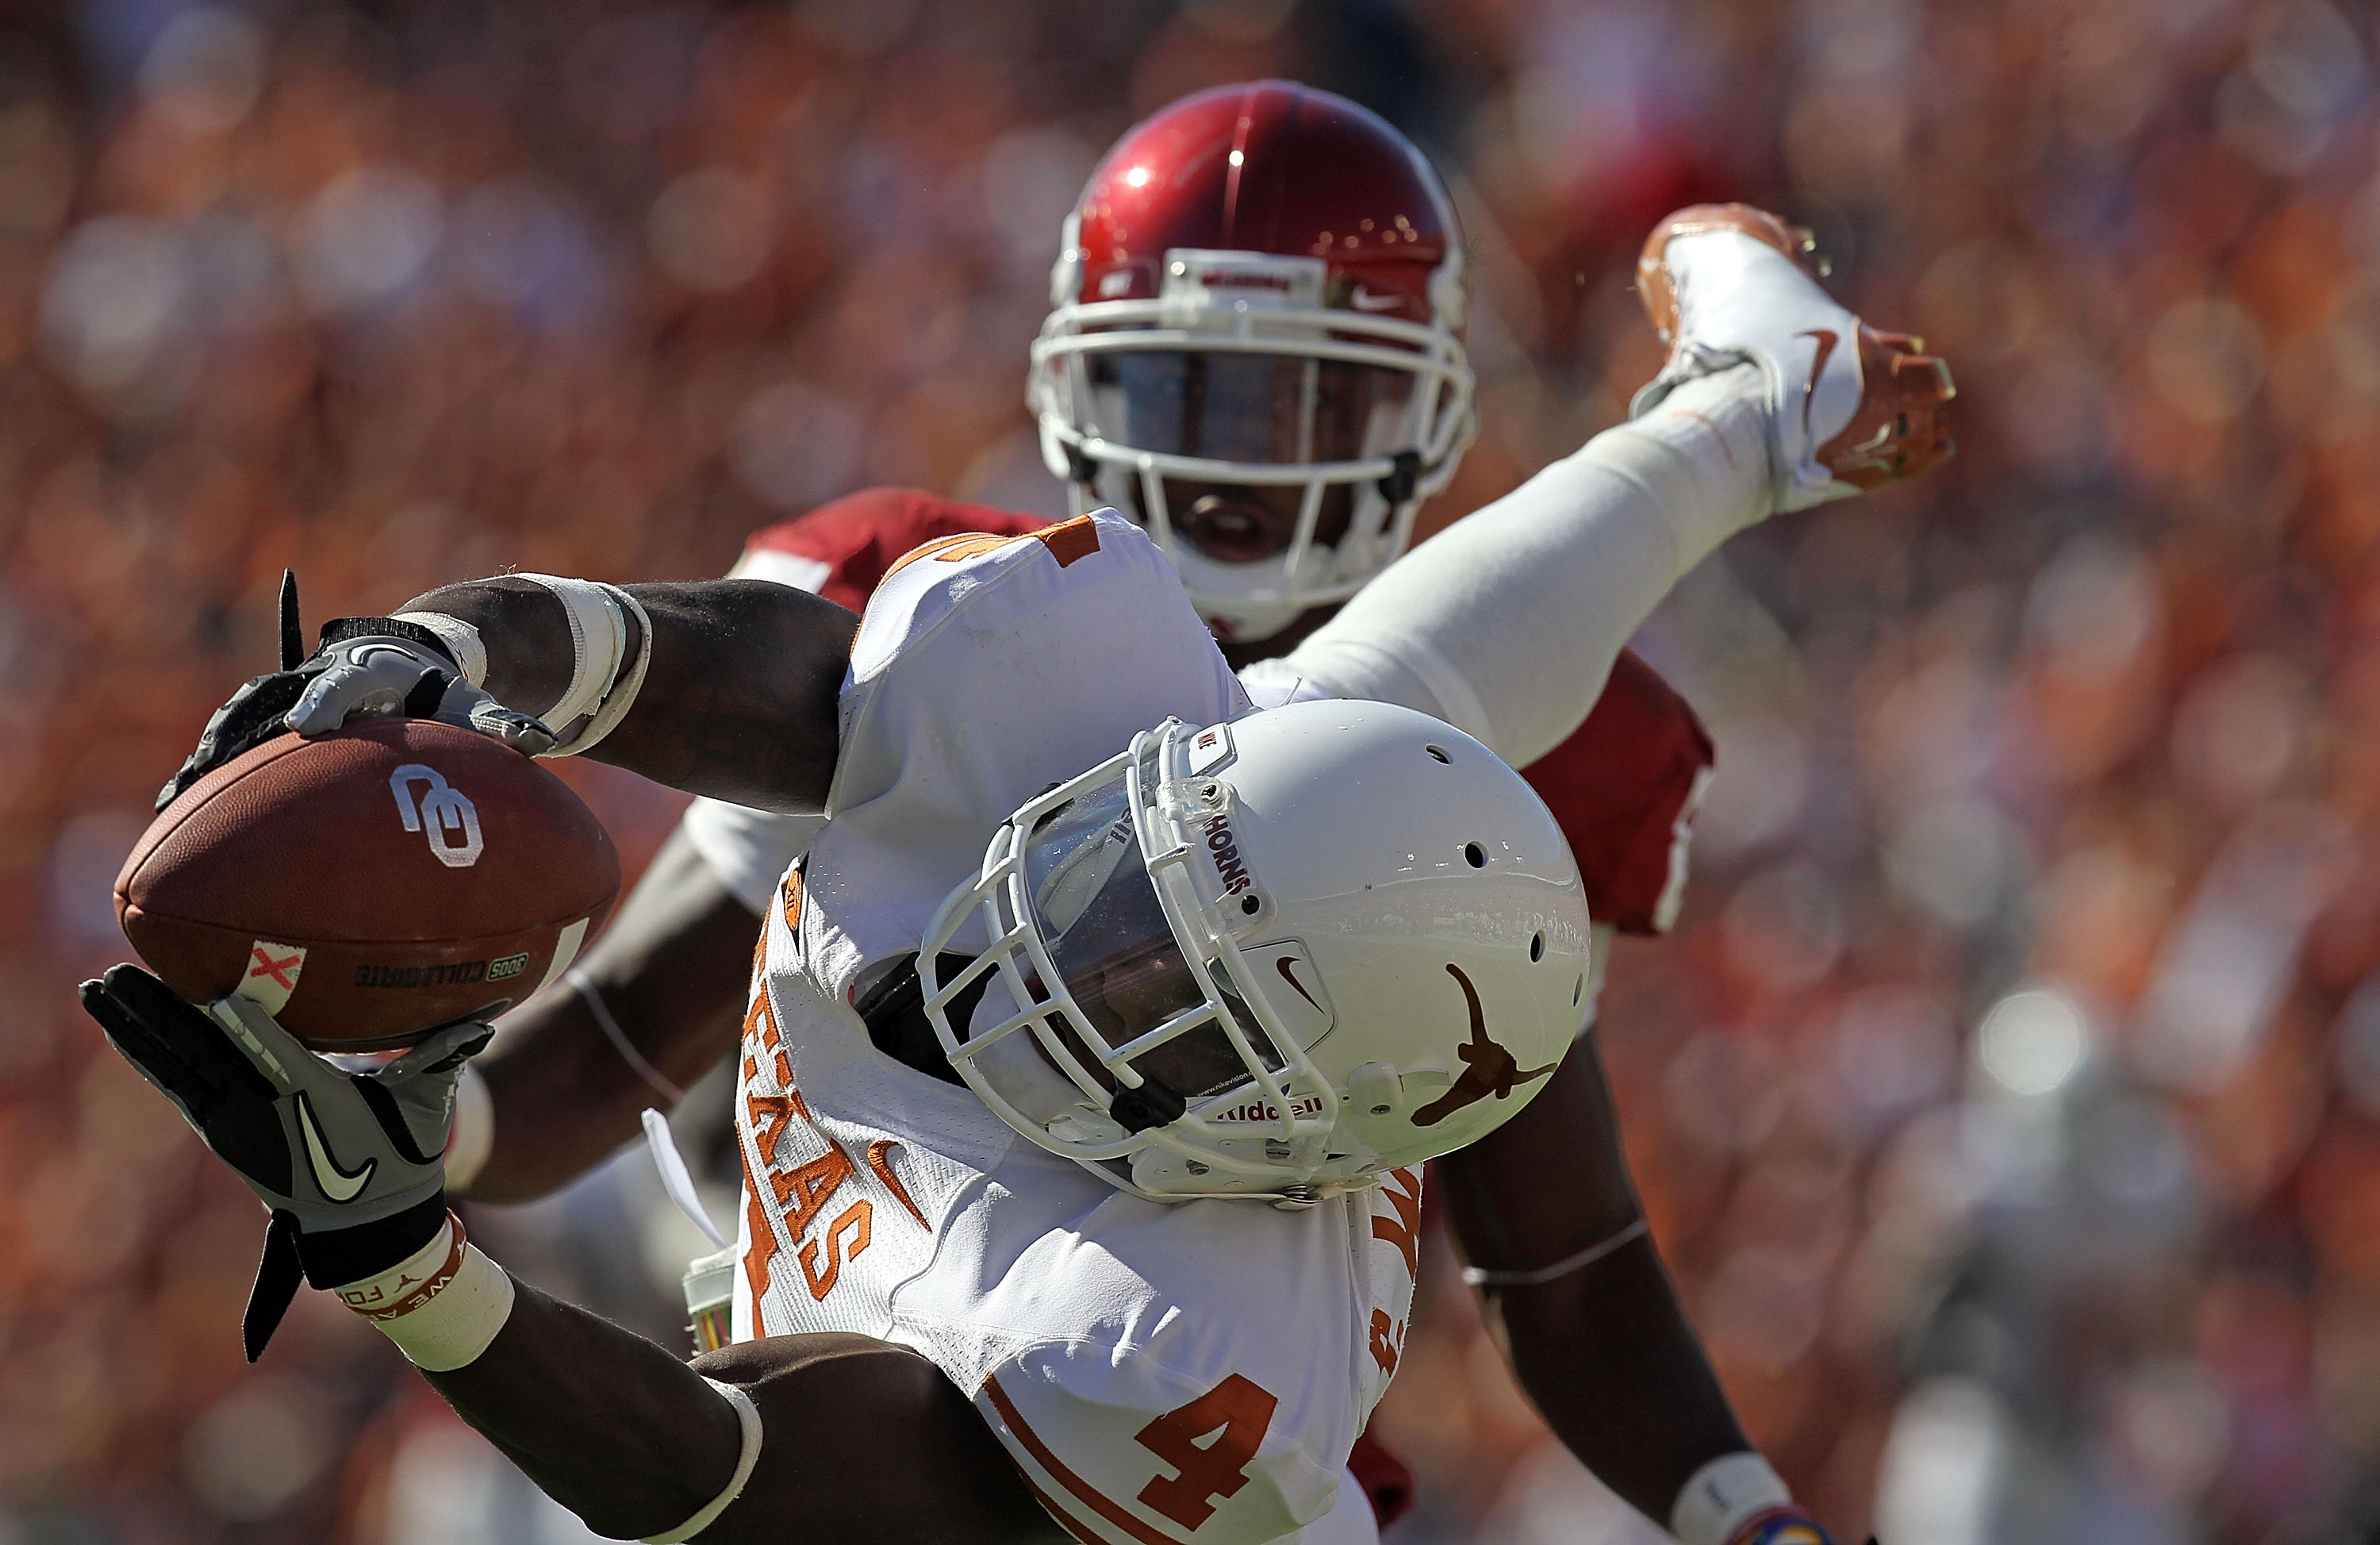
{"x": 1508, "y": 623}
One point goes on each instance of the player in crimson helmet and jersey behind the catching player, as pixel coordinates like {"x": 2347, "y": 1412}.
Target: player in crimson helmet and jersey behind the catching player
{"x": 1277, "y": 420}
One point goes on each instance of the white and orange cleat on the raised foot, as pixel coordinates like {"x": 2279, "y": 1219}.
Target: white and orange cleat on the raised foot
{"x": 1729, "y": 284}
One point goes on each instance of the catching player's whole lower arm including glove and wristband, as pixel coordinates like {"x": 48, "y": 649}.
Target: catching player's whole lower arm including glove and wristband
{"x": 870, "y": 1441}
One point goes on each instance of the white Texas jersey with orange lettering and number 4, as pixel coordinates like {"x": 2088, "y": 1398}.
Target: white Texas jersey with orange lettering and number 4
{"x": 1163, "y": 1375}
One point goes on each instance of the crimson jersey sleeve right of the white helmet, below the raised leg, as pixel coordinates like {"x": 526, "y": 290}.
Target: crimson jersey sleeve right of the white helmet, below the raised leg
{"x": 1624, "y": 792}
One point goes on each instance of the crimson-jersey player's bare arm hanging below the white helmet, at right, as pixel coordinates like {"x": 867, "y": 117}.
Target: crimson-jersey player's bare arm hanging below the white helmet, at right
{"x": 1605, "y": 1353}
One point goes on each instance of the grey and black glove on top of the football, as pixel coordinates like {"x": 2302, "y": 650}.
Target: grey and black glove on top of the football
{"x": 365, "y": 665}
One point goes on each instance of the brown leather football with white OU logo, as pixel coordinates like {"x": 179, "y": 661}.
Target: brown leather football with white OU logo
{"x": 370, "y": 887}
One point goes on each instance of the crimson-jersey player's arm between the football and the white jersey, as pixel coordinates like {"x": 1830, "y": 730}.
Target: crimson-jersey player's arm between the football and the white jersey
{"x": 672, "y": 970}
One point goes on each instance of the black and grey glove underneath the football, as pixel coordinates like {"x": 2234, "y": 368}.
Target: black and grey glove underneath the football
{"x": 351, "y": 1165}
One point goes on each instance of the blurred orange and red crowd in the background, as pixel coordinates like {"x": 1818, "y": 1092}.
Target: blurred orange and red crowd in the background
{"x": 2010, "y": 1094}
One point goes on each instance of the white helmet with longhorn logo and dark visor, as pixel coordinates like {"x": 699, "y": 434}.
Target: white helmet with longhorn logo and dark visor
{"x": 1267, "y": 958}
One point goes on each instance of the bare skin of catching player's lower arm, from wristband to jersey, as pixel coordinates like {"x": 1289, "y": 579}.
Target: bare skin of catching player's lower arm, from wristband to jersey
{"x": 860, "y": 1439}
